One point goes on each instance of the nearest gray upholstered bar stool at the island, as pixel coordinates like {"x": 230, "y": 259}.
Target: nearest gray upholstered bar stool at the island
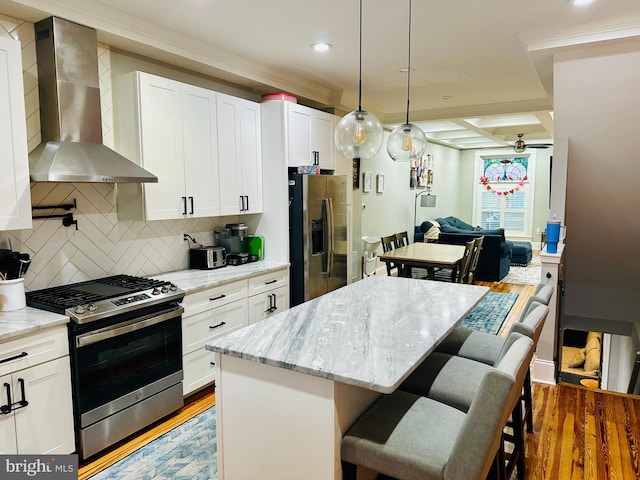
{"x": 411, "y": 437}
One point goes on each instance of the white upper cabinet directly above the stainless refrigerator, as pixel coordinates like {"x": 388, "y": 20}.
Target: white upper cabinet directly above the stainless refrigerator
{"x": 310, "y": 137}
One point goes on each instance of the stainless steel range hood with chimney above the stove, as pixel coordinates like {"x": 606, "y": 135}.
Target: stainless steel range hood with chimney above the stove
{"x": 70, "y": 117}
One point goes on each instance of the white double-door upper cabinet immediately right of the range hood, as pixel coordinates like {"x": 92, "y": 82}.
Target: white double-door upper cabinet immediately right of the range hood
{"x": 169, "y": 128}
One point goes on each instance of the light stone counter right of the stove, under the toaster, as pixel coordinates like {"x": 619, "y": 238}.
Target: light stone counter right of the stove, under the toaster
{"x": 193, "y": 280}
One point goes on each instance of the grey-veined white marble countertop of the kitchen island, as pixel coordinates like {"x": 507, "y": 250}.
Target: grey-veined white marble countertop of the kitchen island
{"x": 371, "y": 333}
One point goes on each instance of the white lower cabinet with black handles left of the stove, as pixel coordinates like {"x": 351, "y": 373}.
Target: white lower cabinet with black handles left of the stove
{"x": 36, "y": 413}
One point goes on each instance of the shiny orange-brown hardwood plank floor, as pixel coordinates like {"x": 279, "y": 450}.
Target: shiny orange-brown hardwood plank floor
{"x": 579, "y": 433}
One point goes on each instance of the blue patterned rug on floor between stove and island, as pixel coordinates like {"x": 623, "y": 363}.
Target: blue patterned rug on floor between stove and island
{"x": 188, "y": 452}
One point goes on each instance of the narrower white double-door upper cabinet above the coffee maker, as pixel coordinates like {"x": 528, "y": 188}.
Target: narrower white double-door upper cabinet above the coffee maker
{"x": 240, "y": 155}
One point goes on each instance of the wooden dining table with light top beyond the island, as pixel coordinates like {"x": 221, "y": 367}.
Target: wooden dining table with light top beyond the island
{"x": 425, "y": 255}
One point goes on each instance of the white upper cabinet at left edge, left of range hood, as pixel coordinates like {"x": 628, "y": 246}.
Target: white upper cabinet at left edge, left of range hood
{"x": 15, "y": 194}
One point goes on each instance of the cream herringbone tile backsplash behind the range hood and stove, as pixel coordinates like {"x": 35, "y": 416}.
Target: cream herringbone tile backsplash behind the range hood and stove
{"x": 102, "y": 245}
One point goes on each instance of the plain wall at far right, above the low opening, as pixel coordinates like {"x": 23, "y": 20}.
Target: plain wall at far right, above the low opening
{"x": 597, "y": 101}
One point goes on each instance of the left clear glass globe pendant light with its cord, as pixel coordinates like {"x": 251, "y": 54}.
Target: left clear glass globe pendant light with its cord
{"x": 359, "y": 134}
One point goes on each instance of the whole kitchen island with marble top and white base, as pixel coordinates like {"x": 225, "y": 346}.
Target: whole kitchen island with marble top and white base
{"x": 290, "y": 386}
